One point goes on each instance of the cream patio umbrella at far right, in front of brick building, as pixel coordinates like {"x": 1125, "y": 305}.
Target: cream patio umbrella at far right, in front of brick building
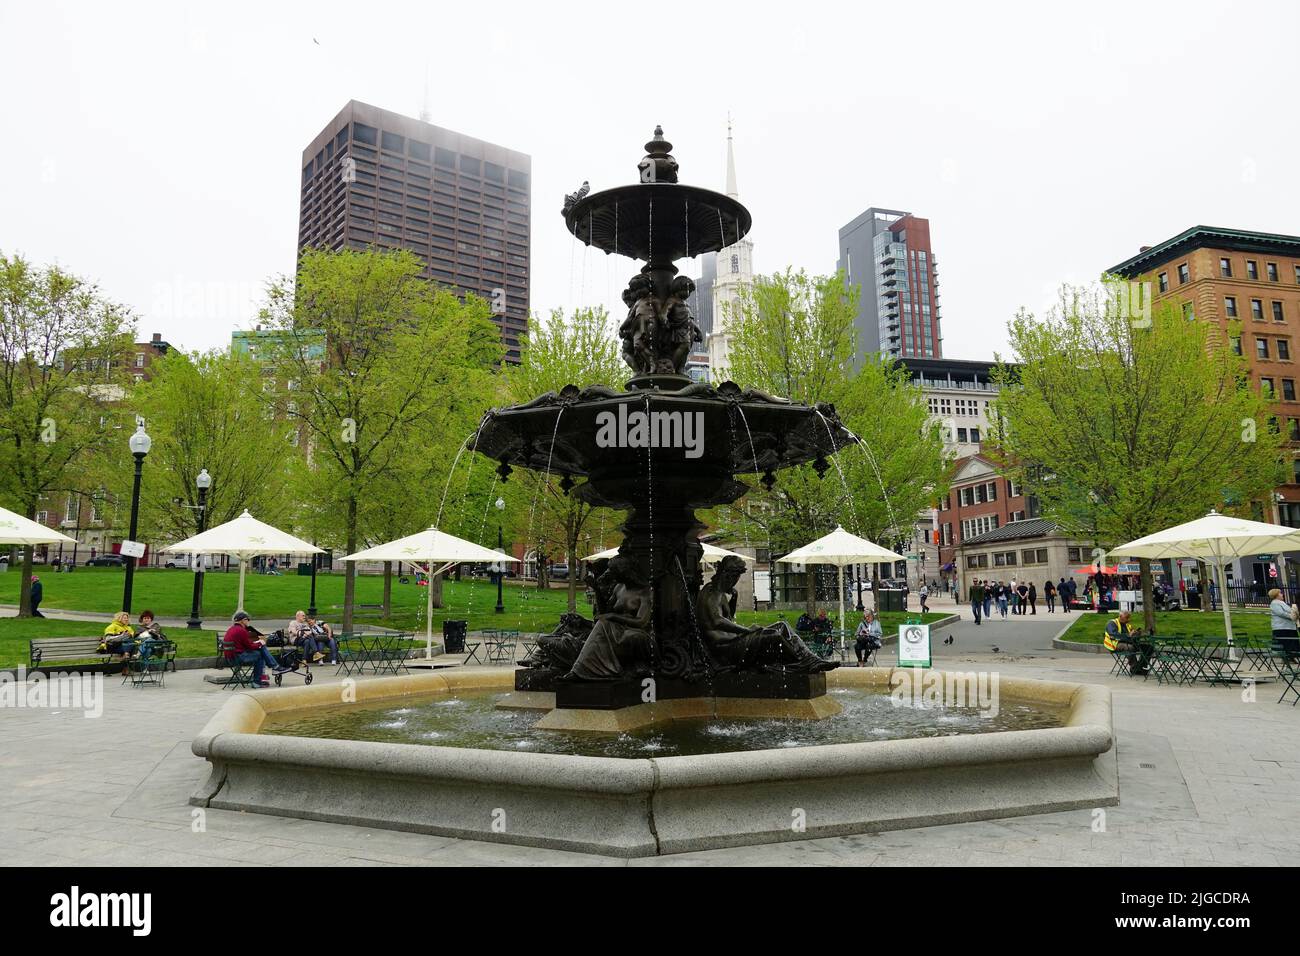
{"x": 1214, "y": 539}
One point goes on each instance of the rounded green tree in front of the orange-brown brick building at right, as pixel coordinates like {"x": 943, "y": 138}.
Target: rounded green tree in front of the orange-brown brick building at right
{"x": 1124, "y": 425}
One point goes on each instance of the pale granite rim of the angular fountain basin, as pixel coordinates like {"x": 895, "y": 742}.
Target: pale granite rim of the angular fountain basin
{"x": 645, "y": 807}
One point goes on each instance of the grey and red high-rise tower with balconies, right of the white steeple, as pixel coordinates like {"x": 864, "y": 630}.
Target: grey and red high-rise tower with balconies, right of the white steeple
{"x": 889, "y": 254}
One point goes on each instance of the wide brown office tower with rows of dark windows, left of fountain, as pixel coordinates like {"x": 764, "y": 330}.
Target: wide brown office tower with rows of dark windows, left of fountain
{"x": 379, "y": 179}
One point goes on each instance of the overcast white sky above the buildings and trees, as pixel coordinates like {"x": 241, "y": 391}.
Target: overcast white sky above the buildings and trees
{"x": 157, "y": 148}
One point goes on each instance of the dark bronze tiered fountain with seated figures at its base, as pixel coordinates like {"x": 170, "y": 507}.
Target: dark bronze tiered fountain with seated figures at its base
{"x": 661, "y": 449}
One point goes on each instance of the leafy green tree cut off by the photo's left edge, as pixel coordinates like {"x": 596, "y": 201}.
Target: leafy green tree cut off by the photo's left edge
{"x": 63, "y": 365}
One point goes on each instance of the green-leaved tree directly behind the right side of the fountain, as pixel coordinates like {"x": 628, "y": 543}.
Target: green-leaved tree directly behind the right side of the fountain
{"x": 794, "y": 336}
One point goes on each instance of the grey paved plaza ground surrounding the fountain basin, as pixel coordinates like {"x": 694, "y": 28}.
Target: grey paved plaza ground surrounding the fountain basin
{"x": 1206, "y": 780}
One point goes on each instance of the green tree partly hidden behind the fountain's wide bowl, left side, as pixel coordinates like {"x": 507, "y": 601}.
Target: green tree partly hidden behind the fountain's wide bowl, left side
{"x": 582, "y": 351}
